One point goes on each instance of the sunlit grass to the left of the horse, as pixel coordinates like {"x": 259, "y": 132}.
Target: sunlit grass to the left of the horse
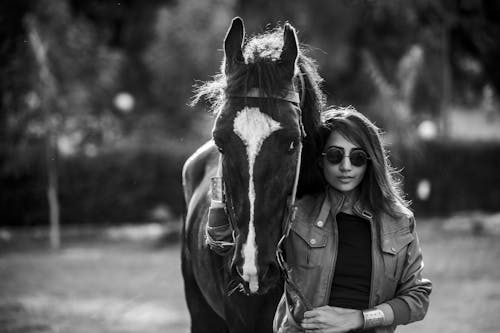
{"x": 116, "y": 287}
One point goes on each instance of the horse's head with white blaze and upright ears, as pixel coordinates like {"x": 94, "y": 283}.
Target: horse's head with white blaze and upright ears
{"x": 258, "y": 131}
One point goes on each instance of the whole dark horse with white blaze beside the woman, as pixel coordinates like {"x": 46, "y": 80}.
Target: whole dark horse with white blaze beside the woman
{"x": 267, "y": 101}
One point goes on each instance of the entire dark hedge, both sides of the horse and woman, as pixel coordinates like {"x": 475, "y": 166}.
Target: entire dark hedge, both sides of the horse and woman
{"x": 125, "y": 186}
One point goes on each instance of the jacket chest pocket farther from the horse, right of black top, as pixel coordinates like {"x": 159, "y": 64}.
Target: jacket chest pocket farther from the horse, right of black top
{"x": 394, "y": 252}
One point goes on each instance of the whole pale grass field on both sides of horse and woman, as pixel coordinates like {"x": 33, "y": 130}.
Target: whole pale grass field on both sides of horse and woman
{"x": 98, "y": 285}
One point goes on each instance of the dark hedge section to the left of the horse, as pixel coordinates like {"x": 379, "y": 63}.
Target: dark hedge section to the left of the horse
{"x": 111, "y": 188}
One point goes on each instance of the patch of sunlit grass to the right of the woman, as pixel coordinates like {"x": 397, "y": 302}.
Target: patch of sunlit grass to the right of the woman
{"x": 465, "y": 271}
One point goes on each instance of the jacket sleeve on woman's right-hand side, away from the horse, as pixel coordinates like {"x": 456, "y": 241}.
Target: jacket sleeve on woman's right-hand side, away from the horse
{"x": 412, "y": 294}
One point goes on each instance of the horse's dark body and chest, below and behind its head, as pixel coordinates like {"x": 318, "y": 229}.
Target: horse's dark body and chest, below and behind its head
{"x": 206, "y": 277}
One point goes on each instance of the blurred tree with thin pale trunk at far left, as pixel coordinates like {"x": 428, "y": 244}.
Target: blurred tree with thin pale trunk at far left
{"x": 64, "y": 85}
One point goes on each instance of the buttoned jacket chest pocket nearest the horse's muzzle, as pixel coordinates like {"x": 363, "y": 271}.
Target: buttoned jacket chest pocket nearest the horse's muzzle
{"x": 307, "y": 245}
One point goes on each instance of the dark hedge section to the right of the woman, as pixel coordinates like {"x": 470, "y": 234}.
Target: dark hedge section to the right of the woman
{"x": 464, "y": 176}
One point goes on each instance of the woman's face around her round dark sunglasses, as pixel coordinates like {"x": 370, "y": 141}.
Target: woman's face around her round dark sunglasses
{"x": 343, "y": 176}
